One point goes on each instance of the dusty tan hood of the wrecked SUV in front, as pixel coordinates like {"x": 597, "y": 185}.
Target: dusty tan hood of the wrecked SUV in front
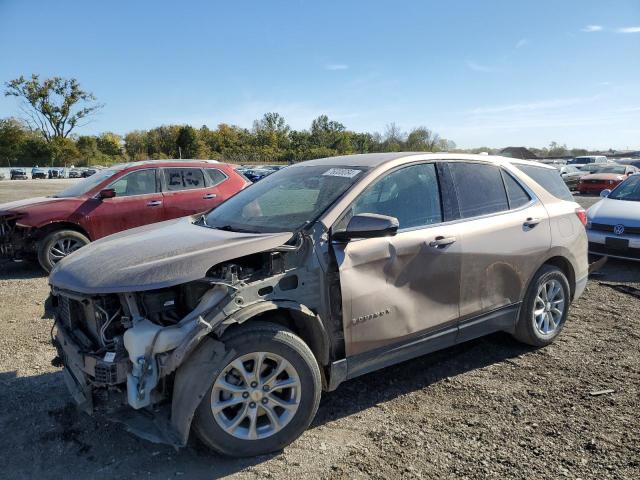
{"x": 155, "y": 256}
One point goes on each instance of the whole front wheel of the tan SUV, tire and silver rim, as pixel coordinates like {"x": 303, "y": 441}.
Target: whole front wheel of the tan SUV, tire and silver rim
{"x": 248, "y": 342}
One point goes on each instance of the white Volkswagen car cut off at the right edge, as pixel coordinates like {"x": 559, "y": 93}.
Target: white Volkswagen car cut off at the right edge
{"x": 613, "y": 224}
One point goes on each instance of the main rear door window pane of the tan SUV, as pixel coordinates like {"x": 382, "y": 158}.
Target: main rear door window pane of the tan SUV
{"x": 480, "y": 189}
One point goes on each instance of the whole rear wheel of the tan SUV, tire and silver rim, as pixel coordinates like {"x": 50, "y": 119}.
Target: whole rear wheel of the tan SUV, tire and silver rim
{"x": 535, "y": 329}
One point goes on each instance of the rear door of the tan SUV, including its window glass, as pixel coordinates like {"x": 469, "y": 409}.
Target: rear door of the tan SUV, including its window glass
{"x": 504, "y": 234}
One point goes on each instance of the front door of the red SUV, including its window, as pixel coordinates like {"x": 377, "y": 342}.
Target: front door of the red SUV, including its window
{"x": 138, "y": 201}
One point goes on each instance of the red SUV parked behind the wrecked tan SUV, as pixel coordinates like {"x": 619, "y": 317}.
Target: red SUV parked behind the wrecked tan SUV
{"x": 113, "y": 199}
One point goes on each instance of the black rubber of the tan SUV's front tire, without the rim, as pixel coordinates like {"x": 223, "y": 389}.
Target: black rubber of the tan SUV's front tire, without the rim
{"x": 270, "y": 338}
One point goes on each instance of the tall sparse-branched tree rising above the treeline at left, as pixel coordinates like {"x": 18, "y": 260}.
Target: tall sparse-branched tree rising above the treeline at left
{"x": 53, "y": 106}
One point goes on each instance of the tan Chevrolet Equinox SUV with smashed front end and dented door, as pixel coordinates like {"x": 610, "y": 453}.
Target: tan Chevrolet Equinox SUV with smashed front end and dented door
{"x": 231, "y": 323}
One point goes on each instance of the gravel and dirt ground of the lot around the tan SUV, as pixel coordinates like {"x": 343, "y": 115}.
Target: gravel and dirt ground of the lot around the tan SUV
{"x": 490, "y": 408}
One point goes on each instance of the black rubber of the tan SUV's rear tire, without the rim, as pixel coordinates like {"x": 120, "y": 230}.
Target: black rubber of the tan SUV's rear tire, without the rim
{"x": 526, "y": 331}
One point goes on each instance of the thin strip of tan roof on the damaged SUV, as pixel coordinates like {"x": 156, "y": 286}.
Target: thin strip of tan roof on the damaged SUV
{"x": 377, "y": 159}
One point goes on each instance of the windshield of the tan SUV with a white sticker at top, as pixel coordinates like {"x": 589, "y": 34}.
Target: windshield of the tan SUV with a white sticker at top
{"x": 285, "y": 201}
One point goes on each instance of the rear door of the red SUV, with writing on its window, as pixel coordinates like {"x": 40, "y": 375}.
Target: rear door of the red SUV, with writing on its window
{"x": 185, "y": 192}
